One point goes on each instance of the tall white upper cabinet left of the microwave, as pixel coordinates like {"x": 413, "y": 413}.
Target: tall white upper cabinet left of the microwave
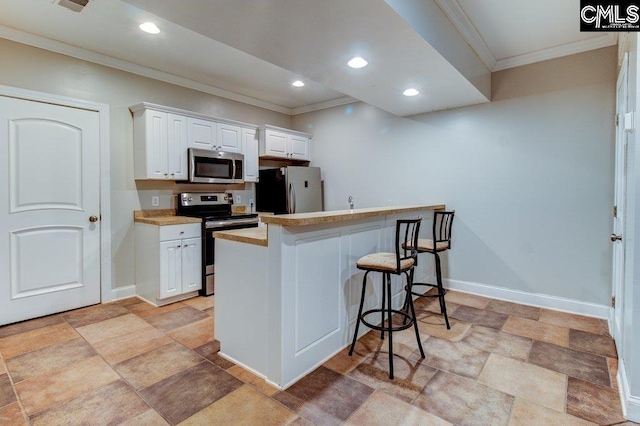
{"x": 159, "y": 145}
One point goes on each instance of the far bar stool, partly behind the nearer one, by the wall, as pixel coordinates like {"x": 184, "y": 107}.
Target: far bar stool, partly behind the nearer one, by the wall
{"x": 441, "y": 241}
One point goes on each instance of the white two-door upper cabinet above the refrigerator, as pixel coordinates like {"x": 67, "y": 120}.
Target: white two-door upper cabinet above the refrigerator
{"x": 277, "y": 142}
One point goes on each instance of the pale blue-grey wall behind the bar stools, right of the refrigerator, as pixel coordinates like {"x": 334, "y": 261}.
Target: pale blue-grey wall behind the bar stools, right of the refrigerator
{"x": 530, "y": 175}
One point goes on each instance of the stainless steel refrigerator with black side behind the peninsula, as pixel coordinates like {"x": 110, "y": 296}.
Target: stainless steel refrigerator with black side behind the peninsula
{"x": 289, "y": 189}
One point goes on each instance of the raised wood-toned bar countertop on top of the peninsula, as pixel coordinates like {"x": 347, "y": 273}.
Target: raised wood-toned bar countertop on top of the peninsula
{"x": 315, "y": 218}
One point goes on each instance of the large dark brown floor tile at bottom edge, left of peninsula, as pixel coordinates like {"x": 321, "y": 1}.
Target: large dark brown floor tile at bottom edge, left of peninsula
{"x": 197, "y": 388}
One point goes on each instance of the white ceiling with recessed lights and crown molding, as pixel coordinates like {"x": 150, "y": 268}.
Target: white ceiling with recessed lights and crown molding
{"x": 252, "y": 50}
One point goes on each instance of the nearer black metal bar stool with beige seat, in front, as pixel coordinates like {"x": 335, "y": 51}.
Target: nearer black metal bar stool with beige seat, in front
{"x": 398, "y": 263}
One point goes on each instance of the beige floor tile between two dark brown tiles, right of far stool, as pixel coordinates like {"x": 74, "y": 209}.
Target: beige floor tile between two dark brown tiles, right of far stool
{"x": 497, "y": 342}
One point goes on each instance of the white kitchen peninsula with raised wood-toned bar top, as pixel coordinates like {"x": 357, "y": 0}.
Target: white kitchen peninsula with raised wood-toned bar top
{"x": 287, "y": 294}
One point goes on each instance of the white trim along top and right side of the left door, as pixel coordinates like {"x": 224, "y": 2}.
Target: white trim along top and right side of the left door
{"x": 105, "y": 164}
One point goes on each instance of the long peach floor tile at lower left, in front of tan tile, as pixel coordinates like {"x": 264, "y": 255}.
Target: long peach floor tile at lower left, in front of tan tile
{"x": 39, "y": 393}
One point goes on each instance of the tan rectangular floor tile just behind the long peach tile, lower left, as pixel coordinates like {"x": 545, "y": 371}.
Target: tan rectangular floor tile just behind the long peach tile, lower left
{"x": 58, "y": 356}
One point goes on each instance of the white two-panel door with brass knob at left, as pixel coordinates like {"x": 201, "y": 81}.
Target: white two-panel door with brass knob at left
{"x": 49, "y": 209}
